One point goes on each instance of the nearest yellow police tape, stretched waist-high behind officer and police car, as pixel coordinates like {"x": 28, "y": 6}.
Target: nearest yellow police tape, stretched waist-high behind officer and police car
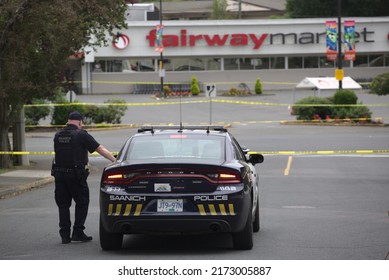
{"x": 318, "y": 152}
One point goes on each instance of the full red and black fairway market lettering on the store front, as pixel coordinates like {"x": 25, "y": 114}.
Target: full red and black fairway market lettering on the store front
{"x": 244, "y": 39}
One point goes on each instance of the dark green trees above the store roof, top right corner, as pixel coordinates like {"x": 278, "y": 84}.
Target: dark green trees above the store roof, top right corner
{"x": 350, "y": 8}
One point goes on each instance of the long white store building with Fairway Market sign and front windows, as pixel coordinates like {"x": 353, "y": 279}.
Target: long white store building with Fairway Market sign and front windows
{"x": 281, "y": 52}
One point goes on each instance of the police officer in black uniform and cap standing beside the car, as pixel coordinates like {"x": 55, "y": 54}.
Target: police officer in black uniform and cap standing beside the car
{"x": 71, "y": 146}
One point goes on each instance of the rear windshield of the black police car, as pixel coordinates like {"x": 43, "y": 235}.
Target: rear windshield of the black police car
{"x": 177, "y": 146}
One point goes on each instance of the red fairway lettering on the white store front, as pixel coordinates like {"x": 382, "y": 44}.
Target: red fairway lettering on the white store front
{"x": 184, "y": 40}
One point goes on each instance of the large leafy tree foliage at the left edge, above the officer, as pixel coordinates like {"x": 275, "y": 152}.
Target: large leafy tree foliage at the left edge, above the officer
{"x": 36, "y": 39}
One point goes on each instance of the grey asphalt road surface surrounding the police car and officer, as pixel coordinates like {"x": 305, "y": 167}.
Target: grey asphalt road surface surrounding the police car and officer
{"x": 313, "y": 207}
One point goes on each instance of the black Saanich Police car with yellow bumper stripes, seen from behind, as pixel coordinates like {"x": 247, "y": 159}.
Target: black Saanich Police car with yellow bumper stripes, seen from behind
{"x": 180, "y": 180}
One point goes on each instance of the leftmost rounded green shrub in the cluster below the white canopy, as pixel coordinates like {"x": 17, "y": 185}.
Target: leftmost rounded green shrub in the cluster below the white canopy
{"x": 306, "y": 112}
